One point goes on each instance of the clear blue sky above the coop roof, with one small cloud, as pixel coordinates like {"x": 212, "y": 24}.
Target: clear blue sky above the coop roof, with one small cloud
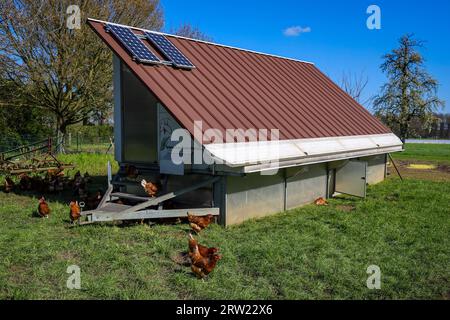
{"x": 334, "y": 34}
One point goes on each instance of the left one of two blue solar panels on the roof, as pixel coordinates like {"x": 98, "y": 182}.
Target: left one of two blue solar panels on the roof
{"x": 133, "y": 44}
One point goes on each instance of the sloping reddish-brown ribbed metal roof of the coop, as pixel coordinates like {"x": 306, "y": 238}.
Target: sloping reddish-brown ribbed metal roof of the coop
{"x": 232, "y": 88}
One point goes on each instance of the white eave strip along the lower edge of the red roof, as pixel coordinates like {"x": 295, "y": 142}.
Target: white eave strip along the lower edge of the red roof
{"x": 302, "y": 151}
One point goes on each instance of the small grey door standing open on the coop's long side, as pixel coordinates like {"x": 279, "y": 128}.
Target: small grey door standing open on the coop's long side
{"x": 351, "y": 178}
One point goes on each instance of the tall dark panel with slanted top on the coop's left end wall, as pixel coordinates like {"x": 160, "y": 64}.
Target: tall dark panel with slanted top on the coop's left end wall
{"x": 139, "y": 121}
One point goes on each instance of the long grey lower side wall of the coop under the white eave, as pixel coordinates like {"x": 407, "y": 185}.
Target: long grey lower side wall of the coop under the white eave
{"x": 256, "y": 195}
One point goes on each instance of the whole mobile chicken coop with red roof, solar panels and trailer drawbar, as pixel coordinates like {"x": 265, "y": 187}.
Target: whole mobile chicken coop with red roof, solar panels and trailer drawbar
{"x": 327, "y": 143}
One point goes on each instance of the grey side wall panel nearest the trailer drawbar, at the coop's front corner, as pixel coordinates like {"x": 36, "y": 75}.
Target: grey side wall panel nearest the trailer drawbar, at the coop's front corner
{"x": 253, "y": 196}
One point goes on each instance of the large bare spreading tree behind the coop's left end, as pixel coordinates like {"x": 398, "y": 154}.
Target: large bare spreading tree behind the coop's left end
{"x": 64, "y": 71}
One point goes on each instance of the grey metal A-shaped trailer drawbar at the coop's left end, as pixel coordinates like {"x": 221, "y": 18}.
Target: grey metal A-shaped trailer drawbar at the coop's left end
{"x": 107, "y": 210}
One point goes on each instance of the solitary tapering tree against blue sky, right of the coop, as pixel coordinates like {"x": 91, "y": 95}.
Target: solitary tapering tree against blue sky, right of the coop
{"x": 410, "y": 93}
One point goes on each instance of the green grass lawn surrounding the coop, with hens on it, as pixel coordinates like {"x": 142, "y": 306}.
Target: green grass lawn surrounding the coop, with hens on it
{"x": 308, "y": 253}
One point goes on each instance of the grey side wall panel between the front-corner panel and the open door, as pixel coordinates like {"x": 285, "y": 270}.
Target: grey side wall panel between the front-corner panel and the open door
{"x": 305, "y": 184}
